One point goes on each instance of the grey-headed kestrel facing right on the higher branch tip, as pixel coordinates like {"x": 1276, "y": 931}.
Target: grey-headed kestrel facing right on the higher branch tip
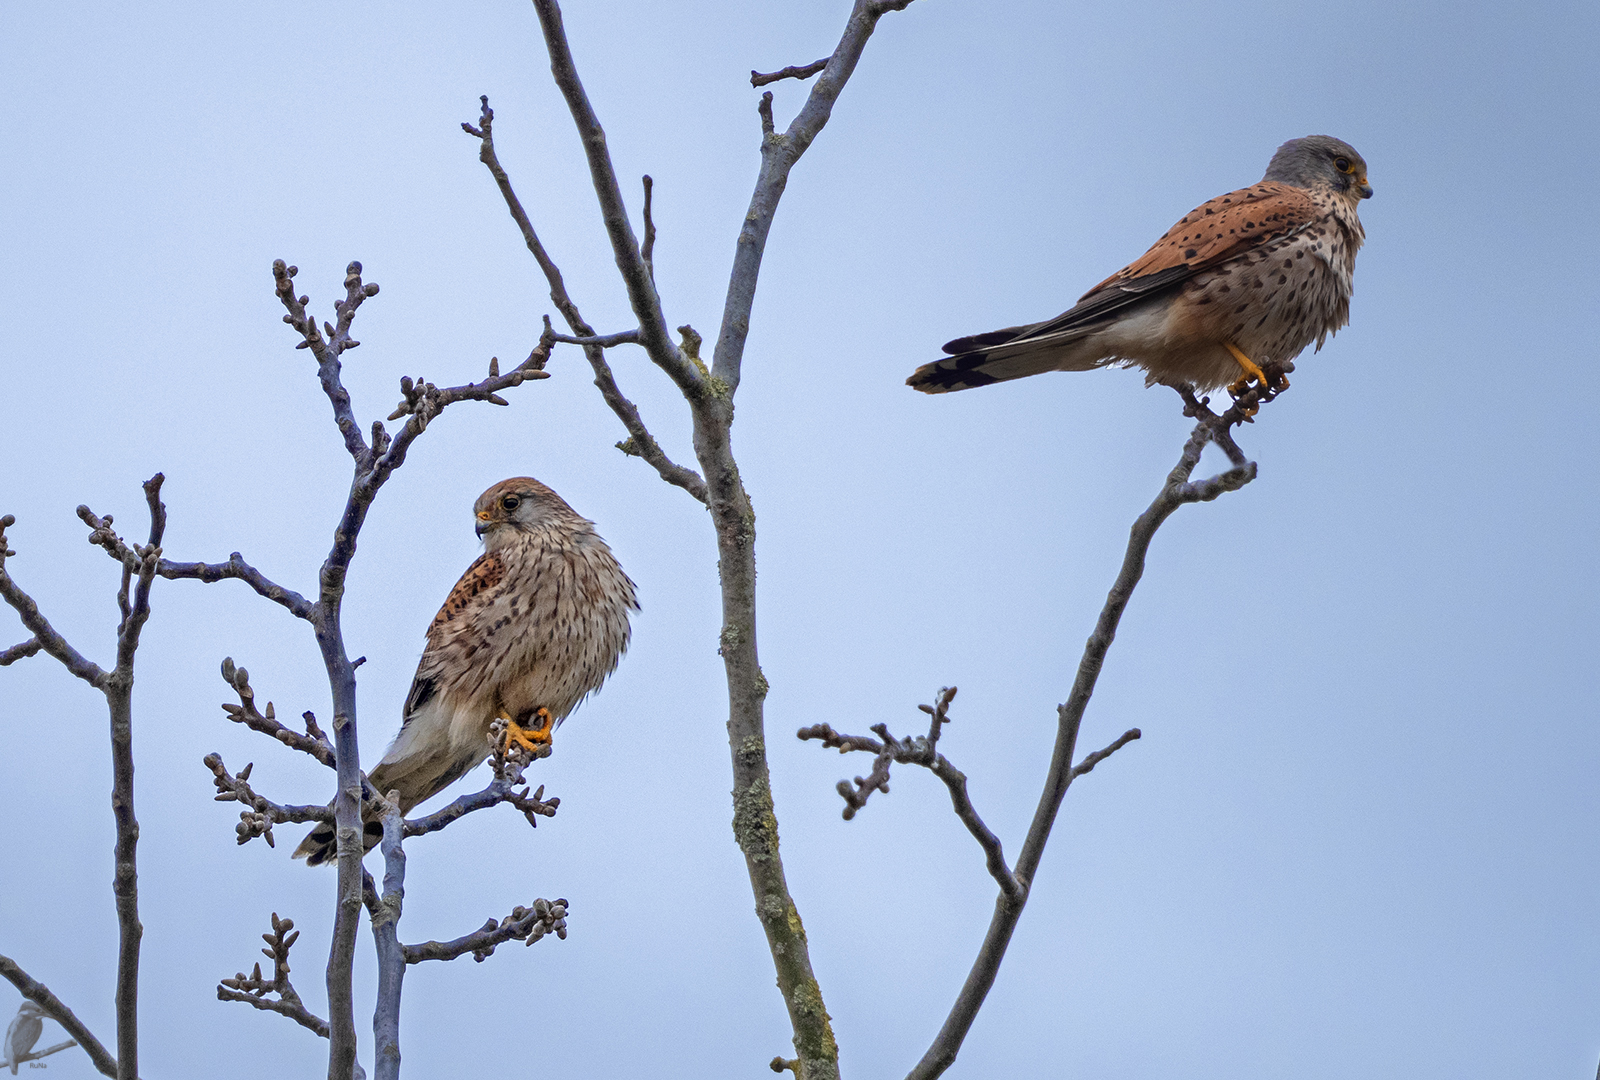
{"x": 1247, "y": 279}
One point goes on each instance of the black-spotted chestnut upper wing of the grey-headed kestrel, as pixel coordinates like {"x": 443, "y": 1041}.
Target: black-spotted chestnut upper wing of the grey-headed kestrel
{"x": 1222, "y": 230}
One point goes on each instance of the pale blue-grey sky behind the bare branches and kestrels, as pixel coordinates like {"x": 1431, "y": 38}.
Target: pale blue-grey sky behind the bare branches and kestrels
{"x": 1359, "y": 834}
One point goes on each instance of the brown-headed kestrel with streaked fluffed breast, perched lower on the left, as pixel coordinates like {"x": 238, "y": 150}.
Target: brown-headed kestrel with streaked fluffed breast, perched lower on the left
{"x": 534, "y": 626}
